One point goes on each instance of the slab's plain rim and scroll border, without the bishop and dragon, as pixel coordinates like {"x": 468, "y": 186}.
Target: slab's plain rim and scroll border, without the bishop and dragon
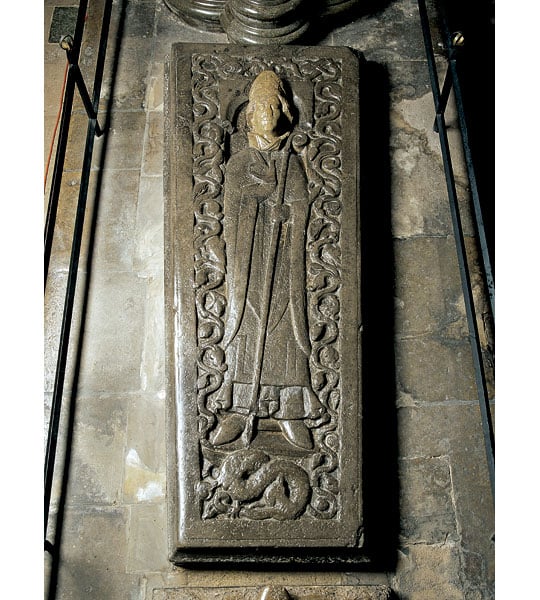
{"x": 202, "y": 95}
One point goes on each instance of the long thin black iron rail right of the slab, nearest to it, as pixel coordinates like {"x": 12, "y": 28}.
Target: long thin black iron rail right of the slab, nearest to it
{"x": 480, "y": 379}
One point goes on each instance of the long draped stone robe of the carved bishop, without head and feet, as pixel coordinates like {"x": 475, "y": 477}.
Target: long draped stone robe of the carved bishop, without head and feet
{"x": 251, "y": 190}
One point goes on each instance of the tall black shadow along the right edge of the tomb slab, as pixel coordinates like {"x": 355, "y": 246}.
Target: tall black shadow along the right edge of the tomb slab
{"x": 381, "y": 488}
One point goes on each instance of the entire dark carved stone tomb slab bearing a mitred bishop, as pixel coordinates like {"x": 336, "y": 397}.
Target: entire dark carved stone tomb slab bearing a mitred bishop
{"x": 262, "y": 304}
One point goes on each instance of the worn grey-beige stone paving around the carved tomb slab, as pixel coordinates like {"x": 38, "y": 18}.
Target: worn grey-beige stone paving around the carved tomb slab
{"x": 428, "y": 495}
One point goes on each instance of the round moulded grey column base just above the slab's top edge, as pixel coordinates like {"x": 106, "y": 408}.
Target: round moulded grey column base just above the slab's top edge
{"x": 265, "y": 22}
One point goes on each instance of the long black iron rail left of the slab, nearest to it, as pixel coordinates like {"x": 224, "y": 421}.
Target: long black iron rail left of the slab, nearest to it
{"x": 67, "y": 316}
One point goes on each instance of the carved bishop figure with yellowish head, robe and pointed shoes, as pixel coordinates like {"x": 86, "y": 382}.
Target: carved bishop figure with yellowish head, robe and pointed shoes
{"x": 266, "y": 335}
